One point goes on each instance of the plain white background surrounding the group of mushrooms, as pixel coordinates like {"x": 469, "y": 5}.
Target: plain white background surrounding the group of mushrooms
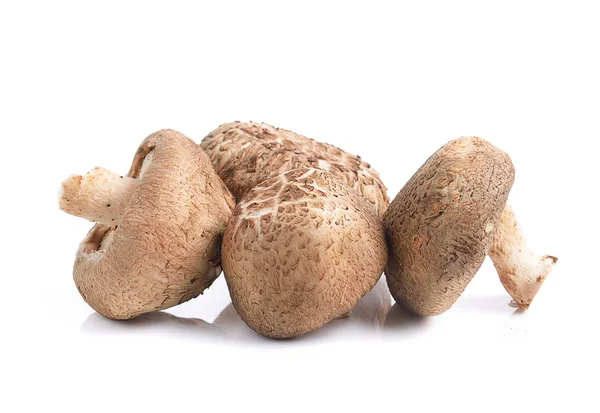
{"x": 83, "y": 84}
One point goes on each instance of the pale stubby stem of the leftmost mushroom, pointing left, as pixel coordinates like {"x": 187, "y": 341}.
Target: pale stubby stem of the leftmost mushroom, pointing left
{"x": 98, "y": 196}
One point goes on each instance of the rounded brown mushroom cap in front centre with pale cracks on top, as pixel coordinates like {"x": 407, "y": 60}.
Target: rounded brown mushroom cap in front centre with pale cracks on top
{"x": 301, "y": 249}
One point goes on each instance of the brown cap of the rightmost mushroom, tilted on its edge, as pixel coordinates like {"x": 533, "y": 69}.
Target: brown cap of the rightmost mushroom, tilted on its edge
{"x": 440, "y": 225}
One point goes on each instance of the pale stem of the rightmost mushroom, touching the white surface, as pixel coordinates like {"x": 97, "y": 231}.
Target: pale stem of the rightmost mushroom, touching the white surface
{"x": 521, "y": 271}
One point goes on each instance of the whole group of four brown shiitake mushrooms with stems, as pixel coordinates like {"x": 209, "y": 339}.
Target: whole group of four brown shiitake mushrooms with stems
{"x": 301, "y": 229}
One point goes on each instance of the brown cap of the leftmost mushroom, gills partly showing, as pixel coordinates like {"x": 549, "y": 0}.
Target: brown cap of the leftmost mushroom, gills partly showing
{"x": 165, "y": 250}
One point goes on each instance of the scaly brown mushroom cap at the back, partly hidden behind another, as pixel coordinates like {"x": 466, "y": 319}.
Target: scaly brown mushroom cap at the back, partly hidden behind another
{"x": 245, "y": 154}
